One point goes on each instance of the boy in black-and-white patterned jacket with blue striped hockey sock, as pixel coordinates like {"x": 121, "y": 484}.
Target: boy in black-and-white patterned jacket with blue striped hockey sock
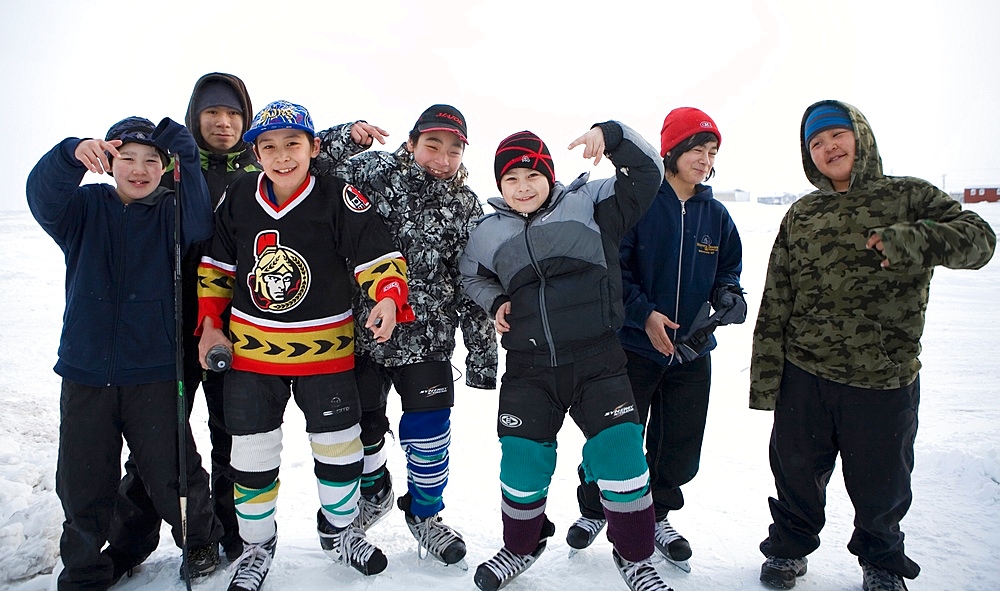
{"x": 420, "y": 192}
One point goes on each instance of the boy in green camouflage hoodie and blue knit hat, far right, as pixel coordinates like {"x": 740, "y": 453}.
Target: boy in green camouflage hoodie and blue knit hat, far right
{"x": 837, "y": 337}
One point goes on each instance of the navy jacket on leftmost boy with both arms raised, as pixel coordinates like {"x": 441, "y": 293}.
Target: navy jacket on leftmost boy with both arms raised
{"x": 118, "y": 326}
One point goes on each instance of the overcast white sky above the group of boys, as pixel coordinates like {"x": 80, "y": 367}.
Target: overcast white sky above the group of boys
{"x": 925, "y": 73}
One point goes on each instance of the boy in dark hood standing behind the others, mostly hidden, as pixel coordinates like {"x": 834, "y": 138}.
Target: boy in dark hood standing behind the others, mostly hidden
{"x": 218, "y": 115}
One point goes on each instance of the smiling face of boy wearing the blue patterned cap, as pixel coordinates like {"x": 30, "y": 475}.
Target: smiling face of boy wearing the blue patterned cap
{"x": 284, "y": 154}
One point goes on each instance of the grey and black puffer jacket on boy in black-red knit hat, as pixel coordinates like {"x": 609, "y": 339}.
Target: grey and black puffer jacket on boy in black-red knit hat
{"x": 559, "y": 266}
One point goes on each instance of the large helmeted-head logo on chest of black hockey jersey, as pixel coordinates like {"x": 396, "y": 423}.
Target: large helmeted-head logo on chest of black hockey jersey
{"x": 280, "y": 278}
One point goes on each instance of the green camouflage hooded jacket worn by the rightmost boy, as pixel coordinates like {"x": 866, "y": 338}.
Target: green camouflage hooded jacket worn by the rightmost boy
{"x": 828, "y": 306}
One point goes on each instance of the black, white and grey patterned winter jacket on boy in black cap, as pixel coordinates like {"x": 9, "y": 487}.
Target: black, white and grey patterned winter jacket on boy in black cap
{"x": 430, "y": 220}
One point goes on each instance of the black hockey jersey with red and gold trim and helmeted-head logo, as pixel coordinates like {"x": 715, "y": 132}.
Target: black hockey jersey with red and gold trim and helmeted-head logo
{"x": 284, "y": 269}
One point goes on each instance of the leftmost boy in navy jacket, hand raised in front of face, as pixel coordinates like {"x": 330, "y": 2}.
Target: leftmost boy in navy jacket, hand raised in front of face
{"x": 117, "y": 350}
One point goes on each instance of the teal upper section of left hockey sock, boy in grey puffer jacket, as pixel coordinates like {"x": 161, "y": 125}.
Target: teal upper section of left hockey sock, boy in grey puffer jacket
{"x": 526, "y": 468}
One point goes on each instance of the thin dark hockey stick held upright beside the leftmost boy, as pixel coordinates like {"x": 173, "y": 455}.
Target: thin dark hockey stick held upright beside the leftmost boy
{"x": 182, "y": 423}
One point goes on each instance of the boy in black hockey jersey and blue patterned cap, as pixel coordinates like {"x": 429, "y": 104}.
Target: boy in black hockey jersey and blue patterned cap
{"x": 278, "y": 256}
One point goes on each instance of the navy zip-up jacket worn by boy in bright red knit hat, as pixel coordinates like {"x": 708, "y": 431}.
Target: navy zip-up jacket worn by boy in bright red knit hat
{"x": 672, "y": 260}
